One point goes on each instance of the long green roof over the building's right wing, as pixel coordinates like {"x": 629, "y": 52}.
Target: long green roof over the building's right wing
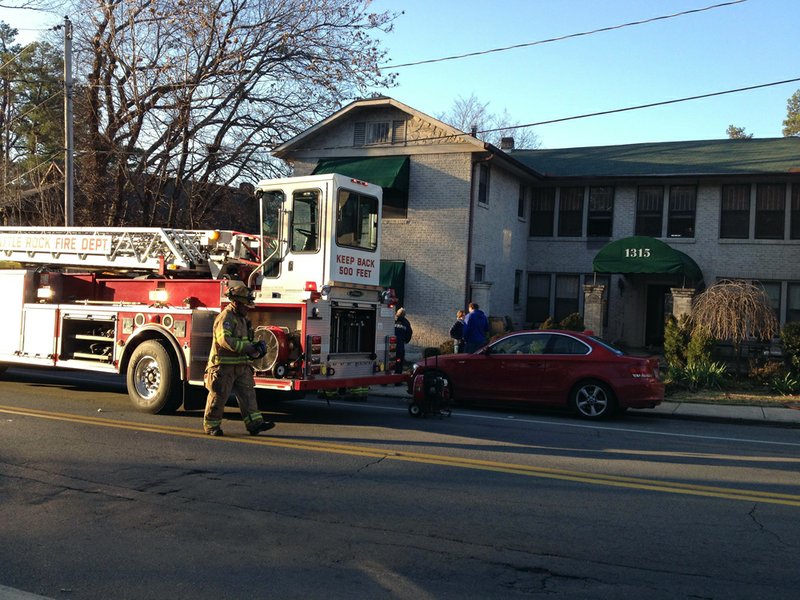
{"x": 698, "y": 158}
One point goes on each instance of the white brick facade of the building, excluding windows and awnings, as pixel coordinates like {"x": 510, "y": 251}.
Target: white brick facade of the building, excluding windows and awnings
{"x": 447, "y": 231}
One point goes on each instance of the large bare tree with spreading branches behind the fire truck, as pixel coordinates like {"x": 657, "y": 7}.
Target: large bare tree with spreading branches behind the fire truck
{"x": 183, "y": 99}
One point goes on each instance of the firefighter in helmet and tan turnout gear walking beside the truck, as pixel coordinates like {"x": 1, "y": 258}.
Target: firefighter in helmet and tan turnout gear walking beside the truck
{"x": 229, "y": 367}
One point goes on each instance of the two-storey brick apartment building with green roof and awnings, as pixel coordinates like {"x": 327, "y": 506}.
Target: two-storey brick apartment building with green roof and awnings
{"x": 621, "y": 234}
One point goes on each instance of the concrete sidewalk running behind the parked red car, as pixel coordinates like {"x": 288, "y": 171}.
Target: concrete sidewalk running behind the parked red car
{"x": 765, "y": 415}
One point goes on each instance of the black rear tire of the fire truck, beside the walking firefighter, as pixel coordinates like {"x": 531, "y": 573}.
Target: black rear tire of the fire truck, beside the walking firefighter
{"x": 152, "y": 379}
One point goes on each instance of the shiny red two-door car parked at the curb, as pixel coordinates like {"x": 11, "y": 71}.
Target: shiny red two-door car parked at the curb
{"x": 547, "y": 368}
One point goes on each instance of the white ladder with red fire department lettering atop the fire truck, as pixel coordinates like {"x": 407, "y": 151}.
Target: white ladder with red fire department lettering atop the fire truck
{"x": 143, "y": 248}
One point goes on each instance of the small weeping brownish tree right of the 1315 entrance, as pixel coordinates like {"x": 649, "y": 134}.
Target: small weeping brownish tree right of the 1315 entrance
{"x": 735, "y": 311}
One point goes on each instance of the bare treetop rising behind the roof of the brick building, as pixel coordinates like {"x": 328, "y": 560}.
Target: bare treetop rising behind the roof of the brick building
{"x": 471, "y": 113}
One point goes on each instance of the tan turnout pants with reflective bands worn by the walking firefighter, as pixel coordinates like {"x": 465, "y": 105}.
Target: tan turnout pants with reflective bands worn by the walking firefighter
{"x": 220, "y": 381}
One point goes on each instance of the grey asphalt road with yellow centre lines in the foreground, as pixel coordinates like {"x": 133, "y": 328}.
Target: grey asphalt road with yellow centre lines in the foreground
{"x": 359, "y": 500}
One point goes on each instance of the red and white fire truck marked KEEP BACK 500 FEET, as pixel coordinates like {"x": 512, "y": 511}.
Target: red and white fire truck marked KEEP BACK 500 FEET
{"x": 141, "y": 302}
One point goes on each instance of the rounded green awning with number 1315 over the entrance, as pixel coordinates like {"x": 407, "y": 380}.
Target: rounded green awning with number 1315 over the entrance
{"x": 641, "y": 254}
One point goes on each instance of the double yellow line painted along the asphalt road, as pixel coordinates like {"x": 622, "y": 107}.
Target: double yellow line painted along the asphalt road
{"x": 653, "y": 485}
